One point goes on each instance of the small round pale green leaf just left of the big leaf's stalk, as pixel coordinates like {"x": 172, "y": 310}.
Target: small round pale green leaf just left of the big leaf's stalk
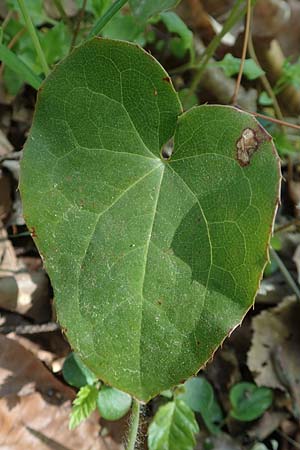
{"x": 112, "y": 403}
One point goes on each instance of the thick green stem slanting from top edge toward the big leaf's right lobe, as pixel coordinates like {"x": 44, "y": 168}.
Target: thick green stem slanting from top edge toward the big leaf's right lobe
{"x": 236, "y": 13}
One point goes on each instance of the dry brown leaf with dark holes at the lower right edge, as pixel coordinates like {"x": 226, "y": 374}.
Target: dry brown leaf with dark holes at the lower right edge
{"x": 274, "y": 356}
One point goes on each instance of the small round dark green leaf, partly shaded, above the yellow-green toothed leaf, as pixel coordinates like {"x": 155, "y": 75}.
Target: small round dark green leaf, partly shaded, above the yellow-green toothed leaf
{"x": 76, "y": 373}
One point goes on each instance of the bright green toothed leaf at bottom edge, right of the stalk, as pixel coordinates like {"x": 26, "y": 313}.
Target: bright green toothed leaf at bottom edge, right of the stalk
{"x": 174, "y": 427}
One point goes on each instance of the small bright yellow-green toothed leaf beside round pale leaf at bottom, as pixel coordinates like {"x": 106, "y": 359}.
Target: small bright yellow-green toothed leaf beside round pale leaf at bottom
{"x": 83, "y": 405}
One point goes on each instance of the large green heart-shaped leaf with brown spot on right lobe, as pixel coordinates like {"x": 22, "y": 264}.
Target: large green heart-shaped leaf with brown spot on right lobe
{"x": 153, "y": 261}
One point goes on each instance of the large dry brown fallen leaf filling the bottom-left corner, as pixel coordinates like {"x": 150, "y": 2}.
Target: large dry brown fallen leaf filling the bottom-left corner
{"x": 35, "y": 407}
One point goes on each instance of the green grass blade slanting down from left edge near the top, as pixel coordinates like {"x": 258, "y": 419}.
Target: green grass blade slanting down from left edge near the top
{"x": 17, "y": 65}
